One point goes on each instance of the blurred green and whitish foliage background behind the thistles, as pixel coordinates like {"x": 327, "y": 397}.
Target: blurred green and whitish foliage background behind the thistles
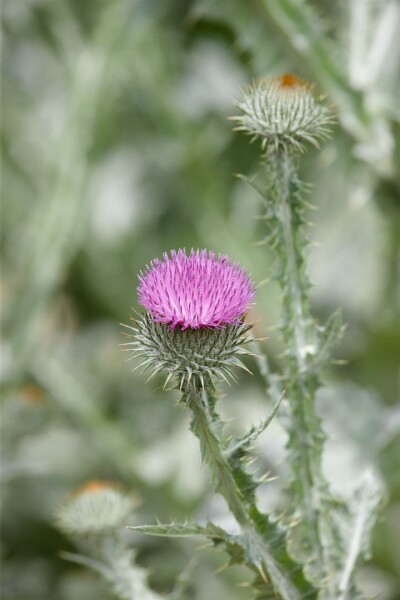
{"x": 117, "y": 147}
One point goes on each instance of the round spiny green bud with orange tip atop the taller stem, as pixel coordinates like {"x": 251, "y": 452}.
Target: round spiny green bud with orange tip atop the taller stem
{"x": 284, "y": 112}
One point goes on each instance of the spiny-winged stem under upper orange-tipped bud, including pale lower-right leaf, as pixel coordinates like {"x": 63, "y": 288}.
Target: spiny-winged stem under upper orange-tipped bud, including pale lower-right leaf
{"x": 323, "y": 525}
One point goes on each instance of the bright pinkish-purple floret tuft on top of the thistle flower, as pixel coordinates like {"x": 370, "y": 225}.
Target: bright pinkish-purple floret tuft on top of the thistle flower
{"x": 199, "y": 290}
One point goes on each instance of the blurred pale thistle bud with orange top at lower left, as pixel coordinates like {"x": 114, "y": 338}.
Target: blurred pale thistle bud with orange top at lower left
{"x": 96, "y": 508}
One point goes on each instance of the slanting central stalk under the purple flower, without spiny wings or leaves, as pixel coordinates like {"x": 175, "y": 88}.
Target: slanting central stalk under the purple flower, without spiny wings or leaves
{"x": 205, "y": 425}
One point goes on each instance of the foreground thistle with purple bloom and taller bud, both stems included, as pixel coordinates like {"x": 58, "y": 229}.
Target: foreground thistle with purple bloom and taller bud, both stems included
{"x": 194, "y": 329}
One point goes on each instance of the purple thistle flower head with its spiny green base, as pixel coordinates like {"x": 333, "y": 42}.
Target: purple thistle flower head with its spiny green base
{"x": 193, "y": 326}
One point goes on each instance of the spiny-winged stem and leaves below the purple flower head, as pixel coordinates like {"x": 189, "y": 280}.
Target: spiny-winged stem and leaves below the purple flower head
{"x": 261, "y": 542}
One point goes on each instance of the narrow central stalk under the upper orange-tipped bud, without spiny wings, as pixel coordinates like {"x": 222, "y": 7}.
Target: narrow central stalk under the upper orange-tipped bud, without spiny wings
{"x": 306, "y": 435}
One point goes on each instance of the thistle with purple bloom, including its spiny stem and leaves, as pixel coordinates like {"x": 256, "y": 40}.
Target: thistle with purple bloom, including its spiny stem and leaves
{"x": 194, "y": 329}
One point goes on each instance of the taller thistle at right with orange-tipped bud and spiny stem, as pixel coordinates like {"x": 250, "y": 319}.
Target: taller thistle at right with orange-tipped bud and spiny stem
{"x": 286, "y": 114}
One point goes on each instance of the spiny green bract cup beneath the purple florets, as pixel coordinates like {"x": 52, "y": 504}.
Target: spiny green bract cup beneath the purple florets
{"x": 205, "y": 353}
